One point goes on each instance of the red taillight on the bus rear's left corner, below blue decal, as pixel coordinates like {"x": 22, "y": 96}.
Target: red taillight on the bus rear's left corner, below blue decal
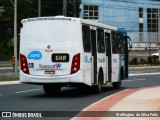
{"x": 24, "y": 64}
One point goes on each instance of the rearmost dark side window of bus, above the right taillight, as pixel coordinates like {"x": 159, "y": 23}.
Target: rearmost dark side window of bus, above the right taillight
{"x": 86, "y": 38}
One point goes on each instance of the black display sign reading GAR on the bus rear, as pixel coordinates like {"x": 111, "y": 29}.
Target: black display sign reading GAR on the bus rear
{"x": 60, "y": 57}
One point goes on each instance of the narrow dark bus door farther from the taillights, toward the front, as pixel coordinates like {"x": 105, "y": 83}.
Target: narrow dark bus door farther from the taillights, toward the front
{"x": 108, "y": 57}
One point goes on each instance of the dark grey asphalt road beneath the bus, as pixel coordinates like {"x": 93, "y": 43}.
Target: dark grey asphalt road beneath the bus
{"x": 24, "y": 97}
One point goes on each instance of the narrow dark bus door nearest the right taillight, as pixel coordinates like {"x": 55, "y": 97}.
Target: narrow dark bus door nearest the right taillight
{"x": 94, "y": 55}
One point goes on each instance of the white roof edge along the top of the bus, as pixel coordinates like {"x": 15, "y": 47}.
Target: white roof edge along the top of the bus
{"x": 70, "y": 19}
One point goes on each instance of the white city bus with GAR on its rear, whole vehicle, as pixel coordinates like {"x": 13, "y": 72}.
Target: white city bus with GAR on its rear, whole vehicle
{"x": 63, "y": 51}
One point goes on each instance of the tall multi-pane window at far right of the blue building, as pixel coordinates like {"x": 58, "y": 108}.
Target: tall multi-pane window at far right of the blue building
{"x": 152, "y": 19}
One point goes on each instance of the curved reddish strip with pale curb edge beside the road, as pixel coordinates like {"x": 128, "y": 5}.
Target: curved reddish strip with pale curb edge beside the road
{"x": 103, "y": 105}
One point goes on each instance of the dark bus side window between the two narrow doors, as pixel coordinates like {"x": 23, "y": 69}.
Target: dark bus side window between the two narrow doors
{"x": 100, "y": 41}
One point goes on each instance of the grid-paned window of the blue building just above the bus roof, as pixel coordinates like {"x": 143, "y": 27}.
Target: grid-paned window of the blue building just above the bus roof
{"x": 90, "y": 12}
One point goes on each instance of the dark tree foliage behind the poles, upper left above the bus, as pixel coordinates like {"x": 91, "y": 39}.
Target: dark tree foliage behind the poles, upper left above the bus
{"x": 27, "y": 9}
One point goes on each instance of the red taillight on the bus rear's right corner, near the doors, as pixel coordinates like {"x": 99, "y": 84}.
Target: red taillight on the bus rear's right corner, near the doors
{"x": 75, "y": 63}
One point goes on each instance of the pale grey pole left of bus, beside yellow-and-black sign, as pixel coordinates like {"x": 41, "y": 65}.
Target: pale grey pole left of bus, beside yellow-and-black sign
{"x": 15, "y": 35}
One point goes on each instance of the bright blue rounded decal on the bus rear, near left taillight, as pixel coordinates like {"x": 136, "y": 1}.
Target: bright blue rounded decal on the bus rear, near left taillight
{"x": 35, "y": 55}
